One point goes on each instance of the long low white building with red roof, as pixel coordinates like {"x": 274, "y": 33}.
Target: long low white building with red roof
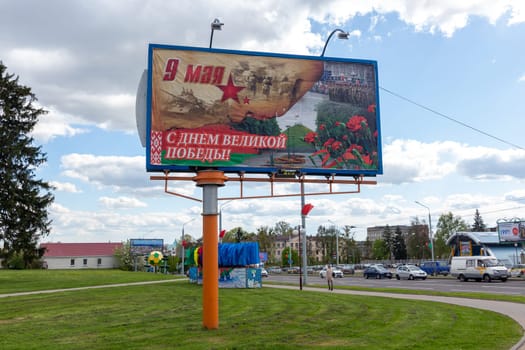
{"x": 81, "y": 255}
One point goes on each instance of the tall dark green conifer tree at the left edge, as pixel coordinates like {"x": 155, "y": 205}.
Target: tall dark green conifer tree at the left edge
{"x": 24, "y": 198}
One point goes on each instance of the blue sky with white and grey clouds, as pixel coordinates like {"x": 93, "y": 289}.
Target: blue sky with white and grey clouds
{"x": 452, "y": 90}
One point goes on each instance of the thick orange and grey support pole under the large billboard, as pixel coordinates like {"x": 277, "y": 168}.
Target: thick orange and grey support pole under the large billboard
{"x": 210, "y": 180}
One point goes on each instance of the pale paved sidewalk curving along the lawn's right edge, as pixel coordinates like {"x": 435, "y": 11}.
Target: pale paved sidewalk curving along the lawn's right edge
{"x": 515, "y": 311}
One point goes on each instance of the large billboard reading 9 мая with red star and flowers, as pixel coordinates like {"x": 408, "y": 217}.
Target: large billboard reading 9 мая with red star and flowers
{"x": 261, "y": 113}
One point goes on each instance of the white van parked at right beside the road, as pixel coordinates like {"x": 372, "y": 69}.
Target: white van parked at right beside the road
{"x": 486, "y": 268}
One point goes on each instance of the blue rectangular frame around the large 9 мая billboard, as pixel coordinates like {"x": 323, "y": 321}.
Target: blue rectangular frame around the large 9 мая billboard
{"x": 321, "y": 171}
